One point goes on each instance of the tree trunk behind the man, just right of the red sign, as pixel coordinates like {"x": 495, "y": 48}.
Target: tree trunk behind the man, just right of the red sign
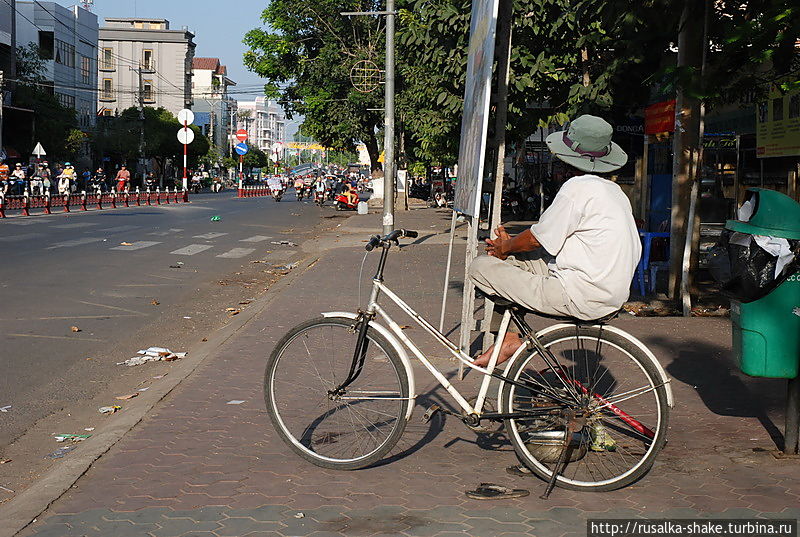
{"x": 686, "y": 142}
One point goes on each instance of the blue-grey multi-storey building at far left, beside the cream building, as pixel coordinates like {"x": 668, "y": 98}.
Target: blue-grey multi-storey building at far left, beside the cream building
{"x": 67, "y": 39}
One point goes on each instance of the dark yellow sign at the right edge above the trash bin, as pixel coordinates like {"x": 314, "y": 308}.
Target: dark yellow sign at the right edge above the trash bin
{"x": 778, "y": 124}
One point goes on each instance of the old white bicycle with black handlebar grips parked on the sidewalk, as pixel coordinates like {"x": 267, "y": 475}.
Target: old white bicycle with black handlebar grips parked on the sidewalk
{"x": 585, "y": 405}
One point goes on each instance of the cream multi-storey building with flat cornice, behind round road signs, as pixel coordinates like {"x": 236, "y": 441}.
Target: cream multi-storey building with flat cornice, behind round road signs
{"x": 144, "y": 60}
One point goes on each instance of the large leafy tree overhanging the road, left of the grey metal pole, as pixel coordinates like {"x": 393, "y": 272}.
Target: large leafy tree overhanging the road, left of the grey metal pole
{"x": 308, "y": 54}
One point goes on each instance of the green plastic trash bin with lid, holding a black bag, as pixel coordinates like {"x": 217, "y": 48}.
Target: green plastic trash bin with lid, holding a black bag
{"x": 766, "y": 332}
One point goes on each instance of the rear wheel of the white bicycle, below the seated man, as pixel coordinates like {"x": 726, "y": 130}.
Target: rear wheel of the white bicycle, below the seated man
{"x": 614, "y": 396}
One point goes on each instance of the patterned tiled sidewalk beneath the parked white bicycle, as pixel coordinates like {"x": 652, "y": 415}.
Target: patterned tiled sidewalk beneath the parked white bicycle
{"x": 199, "y": 466}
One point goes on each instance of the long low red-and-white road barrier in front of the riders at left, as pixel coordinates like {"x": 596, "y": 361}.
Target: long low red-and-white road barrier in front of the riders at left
{"x": 83, "y": 201}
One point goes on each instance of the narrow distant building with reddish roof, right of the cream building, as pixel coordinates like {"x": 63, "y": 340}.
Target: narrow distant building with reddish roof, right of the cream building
{"x": 213, "y": 108}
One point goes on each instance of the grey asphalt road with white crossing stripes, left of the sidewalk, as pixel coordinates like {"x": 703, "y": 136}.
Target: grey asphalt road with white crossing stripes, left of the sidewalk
{"x": 73, "y": 269}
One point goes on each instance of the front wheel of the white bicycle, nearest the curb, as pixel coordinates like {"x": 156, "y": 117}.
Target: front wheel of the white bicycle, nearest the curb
{"x": 342, "y": 429}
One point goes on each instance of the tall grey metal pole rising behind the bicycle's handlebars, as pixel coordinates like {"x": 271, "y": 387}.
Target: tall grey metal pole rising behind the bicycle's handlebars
{"x": 388, "y": 144}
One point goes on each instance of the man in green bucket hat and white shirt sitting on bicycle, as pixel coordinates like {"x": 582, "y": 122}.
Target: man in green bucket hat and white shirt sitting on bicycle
{"x": 579, "y": 258}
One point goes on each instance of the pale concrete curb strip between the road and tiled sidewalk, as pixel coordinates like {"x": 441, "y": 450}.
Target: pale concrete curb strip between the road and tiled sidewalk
{"x": 23, "y": 510}
